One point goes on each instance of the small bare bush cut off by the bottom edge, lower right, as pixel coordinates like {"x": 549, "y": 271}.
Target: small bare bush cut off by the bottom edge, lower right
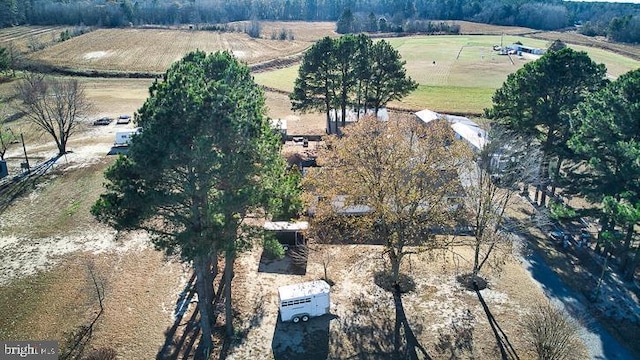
{"x": 553, "y": 334}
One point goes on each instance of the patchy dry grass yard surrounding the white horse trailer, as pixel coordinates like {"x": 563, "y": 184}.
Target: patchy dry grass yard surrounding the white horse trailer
{"x": 360, "y": 307}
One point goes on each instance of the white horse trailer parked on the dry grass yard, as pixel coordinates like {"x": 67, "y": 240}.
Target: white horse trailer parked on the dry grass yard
{"x": 304, "y": 301}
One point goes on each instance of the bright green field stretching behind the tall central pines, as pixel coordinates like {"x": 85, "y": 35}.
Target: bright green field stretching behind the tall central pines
{"x": 458, "y": 74}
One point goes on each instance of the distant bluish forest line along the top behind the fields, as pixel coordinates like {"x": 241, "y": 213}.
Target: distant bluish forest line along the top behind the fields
{"x": 615, "y": 20}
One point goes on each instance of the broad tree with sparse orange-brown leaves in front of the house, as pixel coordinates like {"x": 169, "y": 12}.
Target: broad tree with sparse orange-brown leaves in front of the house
{"x": 394, "y": 182}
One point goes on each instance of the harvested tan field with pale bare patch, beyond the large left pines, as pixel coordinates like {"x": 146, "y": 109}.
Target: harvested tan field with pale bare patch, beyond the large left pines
{"x": 153, "y": 50}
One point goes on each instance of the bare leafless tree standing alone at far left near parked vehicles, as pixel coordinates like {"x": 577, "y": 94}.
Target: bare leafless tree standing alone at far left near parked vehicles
{"x": 54, "y": 105}
